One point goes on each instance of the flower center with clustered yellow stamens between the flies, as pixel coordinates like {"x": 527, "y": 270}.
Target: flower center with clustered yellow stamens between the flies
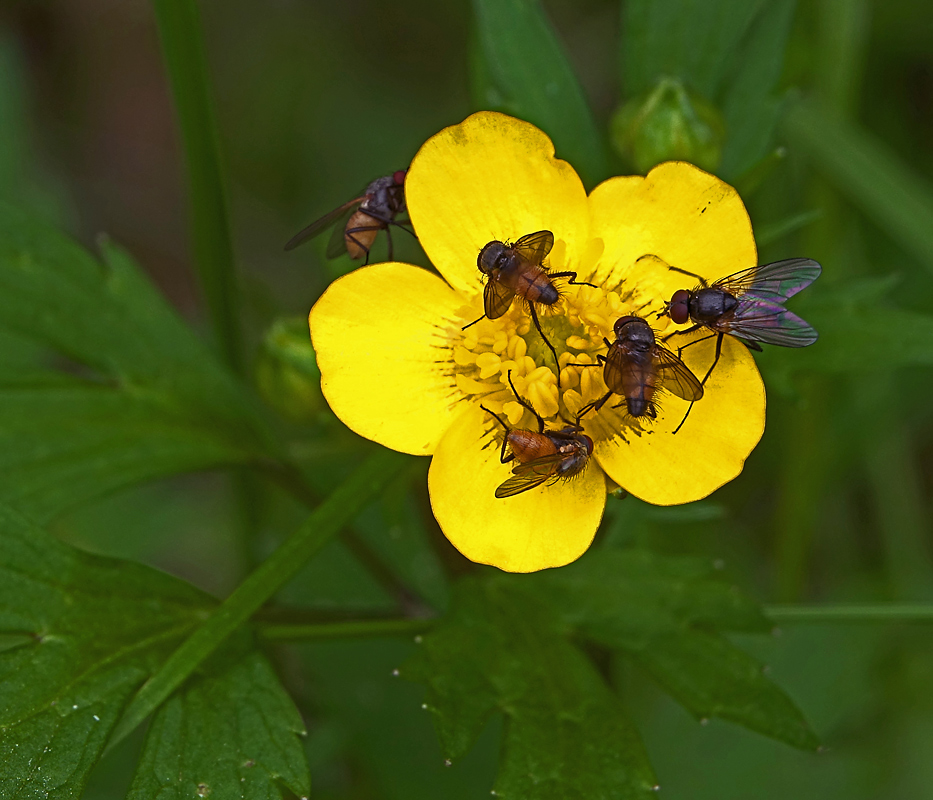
{"x": 576, "y": 326}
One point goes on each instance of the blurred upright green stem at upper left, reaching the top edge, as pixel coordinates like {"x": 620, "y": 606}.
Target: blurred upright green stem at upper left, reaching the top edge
{"x": 183, "y": 49}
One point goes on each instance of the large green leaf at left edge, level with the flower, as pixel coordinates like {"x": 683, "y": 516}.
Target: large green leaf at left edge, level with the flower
{"x": 135, "y": 394}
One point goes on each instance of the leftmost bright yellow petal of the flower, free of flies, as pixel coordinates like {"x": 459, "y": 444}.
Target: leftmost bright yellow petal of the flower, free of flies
{"x": 380, "y": 335}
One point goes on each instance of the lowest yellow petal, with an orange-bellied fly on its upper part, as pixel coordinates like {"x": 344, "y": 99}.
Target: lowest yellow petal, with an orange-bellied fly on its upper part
{"x": 548, "y": 526}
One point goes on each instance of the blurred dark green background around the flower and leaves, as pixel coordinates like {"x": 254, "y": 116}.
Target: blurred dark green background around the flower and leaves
{"x": 314, "y": 100}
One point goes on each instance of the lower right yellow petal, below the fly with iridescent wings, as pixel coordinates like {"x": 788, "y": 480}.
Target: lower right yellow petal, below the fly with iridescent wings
{"x": 723, "y": 428}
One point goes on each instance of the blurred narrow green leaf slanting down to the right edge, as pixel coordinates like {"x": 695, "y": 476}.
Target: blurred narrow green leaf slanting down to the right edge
{"x": 869, "y": 175}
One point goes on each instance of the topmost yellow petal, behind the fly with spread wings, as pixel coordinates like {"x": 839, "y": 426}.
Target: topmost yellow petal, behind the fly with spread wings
{"x": 493, "y": 177}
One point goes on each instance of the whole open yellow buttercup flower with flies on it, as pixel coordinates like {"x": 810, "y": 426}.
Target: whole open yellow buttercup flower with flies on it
{"x": 397, "y": 367}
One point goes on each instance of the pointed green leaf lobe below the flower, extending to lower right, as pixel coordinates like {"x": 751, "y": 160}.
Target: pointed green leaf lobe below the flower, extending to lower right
{"x": 668, "y": 614}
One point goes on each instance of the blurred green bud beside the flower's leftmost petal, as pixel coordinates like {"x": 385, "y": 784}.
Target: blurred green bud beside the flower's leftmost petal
{"x": 286, "y": 371}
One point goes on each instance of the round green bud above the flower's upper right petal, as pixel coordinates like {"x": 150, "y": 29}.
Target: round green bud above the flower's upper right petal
{"x": 671, "y": 123}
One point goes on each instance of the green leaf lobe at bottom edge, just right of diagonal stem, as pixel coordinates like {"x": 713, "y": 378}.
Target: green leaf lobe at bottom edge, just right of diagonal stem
{"x": 231, "y": 732}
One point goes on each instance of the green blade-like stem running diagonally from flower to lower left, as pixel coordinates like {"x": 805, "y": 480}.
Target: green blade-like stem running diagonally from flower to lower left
{"x": 329, "y": 517}
